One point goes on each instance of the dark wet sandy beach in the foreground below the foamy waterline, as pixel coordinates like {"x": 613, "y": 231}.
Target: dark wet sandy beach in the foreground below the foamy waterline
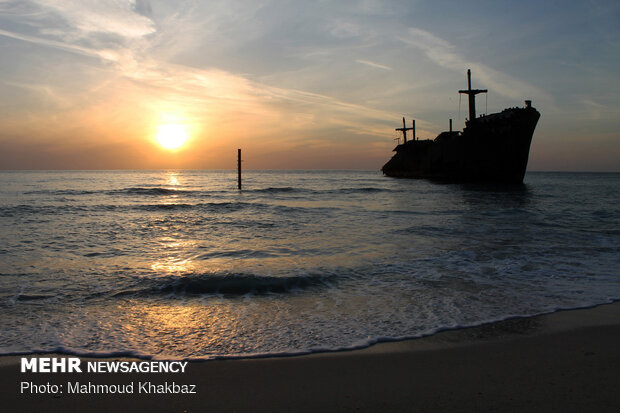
{"x": 565, "y": 361}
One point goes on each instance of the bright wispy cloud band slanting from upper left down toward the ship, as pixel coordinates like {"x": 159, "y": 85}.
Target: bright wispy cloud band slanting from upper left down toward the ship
{"x": 192, "y": 90}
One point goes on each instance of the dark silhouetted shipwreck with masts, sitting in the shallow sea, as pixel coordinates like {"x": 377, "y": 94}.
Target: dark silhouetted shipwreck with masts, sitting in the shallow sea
{"x": 491, "y": 148}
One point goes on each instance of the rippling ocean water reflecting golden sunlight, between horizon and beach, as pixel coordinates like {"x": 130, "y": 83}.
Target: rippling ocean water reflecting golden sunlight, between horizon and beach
{"x": 181, "y": 264}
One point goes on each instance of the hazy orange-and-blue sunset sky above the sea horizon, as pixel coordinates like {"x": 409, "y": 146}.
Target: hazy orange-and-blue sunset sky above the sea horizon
{"x": 89, "y": 84}
